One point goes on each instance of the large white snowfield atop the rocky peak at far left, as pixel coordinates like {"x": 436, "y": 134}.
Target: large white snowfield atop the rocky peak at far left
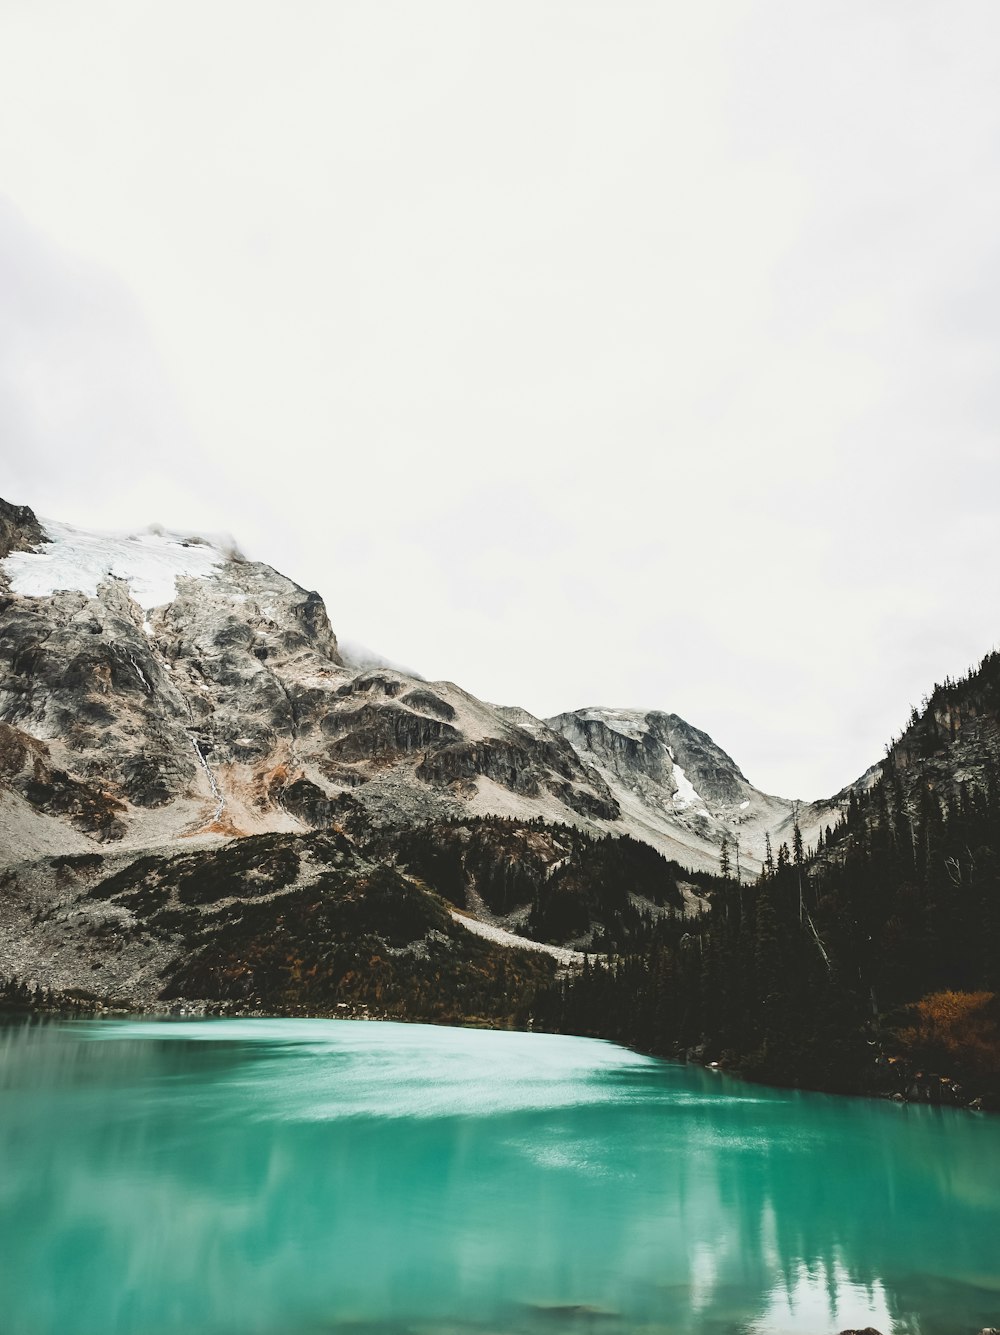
{"x": 152, "y": 563}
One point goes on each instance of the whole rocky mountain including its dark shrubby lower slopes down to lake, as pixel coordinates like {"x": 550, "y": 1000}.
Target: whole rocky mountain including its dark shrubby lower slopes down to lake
{"x": 176, "y": 716}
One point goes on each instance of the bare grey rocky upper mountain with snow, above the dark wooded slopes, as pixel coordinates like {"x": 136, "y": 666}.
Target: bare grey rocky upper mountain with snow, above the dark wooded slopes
{"x": 158, "y": 687}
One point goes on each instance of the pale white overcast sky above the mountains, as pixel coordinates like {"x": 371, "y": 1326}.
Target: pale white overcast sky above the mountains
{"x": 583, "y": 353}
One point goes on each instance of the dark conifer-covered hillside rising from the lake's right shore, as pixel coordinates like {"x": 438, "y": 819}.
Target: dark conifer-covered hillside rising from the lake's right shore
{"x": 871, "y": 962}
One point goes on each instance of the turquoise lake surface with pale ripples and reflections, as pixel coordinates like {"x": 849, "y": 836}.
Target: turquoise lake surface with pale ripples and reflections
{"x": 306, "y": 1177}
